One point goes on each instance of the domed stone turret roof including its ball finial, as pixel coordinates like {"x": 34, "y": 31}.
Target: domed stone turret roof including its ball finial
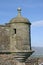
{"x": 19, "y": 18}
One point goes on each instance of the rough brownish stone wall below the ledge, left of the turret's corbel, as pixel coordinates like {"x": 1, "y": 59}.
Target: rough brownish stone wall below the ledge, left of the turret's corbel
{"x": 7, "y": 59}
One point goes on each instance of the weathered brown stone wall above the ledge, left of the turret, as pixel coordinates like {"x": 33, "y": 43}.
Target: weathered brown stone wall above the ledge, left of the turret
{"x": 4, "y": 39}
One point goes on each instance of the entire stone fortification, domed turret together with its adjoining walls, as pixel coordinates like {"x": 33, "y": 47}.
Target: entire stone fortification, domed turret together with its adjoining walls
{"x": 15, "y": 41}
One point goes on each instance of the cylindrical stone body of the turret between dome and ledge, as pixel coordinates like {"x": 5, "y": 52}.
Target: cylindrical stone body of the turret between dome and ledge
{"x": 20, "y": 40}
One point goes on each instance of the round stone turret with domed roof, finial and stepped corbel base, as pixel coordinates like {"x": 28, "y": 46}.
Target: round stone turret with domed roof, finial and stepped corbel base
{"x": 20, "y": 38}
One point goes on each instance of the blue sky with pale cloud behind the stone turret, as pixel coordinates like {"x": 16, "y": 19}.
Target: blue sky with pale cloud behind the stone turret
{"x": 31, "y": 9}
